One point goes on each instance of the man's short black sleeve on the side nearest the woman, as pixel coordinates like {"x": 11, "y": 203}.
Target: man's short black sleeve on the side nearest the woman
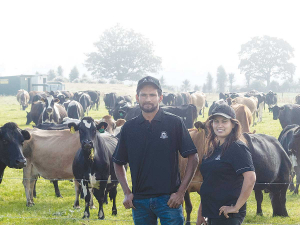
{"x": 186, "y": 144}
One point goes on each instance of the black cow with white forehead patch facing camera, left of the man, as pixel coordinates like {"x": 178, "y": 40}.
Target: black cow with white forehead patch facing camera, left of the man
{"x": 92, "y": 165}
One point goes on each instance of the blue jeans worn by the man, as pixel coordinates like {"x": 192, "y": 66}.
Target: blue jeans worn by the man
{"x": 148, "y": 210}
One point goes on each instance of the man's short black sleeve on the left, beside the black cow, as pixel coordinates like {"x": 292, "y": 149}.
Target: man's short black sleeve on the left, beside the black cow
{"x": 120, "y": 155}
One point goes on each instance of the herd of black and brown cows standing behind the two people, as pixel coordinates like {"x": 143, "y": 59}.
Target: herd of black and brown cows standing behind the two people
{"x": 66, "y": 144}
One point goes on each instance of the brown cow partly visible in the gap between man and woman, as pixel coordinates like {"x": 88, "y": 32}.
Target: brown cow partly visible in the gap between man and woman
{"x": 198, "y": 137}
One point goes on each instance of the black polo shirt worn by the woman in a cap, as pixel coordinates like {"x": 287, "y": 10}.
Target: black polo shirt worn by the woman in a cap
{"x": 223, "y": 179}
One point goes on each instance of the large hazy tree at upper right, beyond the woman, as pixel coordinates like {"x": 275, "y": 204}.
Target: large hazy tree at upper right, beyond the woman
{"x": 266, "y": 57}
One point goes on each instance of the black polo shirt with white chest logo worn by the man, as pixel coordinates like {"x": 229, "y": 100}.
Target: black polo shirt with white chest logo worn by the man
{"x": 151, "y": 149}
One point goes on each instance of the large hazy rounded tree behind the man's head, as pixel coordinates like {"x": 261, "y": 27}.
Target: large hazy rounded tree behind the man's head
{"x": 123, "y": 55}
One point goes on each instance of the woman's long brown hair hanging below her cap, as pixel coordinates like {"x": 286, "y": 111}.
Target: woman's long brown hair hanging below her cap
{"x": 212, "y": 141}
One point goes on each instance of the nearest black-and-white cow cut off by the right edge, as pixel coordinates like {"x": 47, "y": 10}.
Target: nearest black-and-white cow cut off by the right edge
{"x": 289, "y": 139}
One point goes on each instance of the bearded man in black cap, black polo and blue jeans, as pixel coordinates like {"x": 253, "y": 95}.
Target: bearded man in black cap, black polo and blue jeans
{"x": 150, "y": 143}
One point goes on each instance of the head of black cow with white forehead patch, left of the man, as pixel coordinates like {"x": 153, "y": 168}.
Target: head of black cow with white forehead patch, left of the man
{"x": 88, "y": 132}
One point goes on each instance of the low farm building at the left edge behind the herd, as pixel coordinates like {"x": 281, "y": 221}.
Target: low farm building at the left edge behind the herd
{"x": 9, "y": 85}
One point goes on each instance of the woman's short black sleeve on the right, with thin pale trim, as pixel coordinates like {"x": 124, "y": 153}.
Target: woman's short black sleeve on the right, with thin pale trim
{"x": 241, "y": 159}
